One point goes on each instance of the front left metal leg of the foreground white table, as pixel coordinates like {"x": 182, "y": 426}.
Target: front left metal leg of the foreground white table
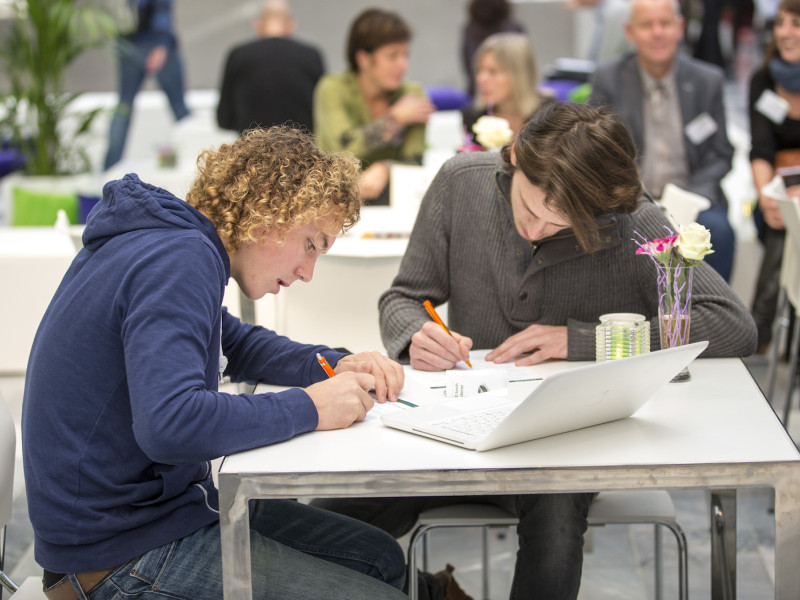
{"x": 234, "y": 518}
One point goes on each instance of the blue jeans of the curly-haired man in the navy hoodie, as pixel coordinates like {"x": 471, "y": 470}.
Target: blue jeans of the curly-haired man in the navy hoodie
{"x": 298, "y": 552}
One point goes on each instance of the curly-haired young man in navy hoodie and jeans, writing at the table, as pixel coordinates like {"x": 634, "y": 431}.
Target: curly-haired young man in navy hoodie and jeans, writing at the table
{"x": 122, "y": 412}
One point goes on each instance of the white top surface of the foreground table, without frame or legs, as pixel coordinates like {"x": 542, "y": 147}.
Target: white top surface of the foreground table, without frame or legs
{"x": 720, "y": 417}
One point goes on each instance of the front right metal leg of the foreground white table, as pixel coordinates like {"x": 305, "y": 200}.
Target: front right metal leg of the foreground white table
{"x": 787, "y": 539}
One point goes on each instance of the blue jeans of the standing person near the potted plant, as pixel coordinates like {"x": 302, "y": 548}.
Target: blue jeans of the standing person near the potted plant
{"x": 131, "y": 57}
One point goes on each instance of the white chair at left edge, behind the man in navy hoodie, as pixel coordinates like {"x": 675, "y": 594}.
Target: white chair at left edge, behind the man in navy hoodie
{"x": 31, "y": 588}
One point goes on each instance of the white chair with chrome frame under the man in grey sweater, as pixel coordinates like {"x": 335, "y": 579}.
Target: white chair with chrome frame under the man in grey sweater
{"x": 627, "y": 507}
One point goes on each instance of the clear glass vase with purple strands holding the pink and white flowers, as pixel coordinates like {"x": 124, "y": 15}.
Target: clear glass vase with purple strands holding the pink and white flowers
{"x": 674, "y": 309}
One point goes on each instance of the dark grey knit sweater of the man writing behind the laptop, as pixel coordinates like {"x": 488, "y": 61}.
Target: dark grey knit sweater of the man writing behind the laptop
{"x": 465, "y": 250}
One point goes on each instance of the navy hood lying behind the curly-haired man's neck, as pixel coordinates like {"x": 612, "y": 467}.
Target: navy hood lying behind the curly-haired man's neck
{"x": 130, "y": 205}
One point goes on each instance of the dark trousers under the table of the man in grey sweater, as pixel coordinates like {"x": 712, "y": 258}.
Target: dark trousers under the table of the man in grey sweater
{"x": 551, "y": 527}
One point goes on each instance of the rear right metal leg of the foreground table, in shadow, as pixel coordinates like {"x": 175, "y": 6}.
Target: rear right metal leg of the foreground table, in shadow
{"x": 723, "y": 544}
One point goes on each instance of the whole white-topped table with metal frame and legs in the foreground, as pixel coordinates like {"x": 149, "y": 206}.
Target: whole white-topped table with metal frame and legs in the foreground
{"x": 716, "y": 432}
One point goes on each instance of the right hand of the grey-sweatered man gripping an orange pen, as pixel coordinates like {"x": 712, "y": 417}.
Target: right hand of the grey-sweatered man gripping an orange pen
{"x": 435, "y": 348}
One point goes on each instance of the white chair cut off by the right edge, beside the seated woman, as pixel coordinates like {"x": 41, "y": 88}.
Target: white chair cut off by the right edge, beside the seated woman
{"x": 789, "y": 295}
